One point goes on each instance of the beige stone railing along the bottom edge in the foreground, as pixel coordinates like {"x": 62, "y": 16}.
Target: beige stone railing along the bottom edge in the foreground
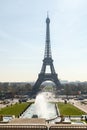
{"x": 42, "y": 127}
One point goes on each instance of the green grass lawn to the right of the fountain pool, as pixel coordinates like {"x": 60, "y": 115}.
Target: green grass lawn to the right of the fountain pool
{"x": 69, "y": 109}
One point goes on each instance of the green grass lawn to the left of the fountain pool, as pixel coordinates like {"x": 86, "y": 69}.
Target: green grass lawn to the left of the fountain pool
{"x": 16, "y": 109}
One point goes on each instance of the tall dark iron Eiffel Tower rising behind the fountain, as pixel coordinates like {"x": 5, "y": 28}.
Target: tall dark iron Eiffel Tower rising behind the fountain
{"x": 47, "y": 61}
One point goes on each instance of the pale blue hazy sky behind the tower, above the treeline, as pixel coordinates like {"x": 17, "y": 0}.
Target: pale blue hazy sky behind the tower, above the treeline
{"x": 22, "y": 38}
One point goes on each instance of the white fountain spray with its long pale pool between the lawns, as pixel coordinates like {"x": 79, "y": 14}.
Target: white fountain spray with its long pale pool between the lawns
{"x": 41, "y": 108}
